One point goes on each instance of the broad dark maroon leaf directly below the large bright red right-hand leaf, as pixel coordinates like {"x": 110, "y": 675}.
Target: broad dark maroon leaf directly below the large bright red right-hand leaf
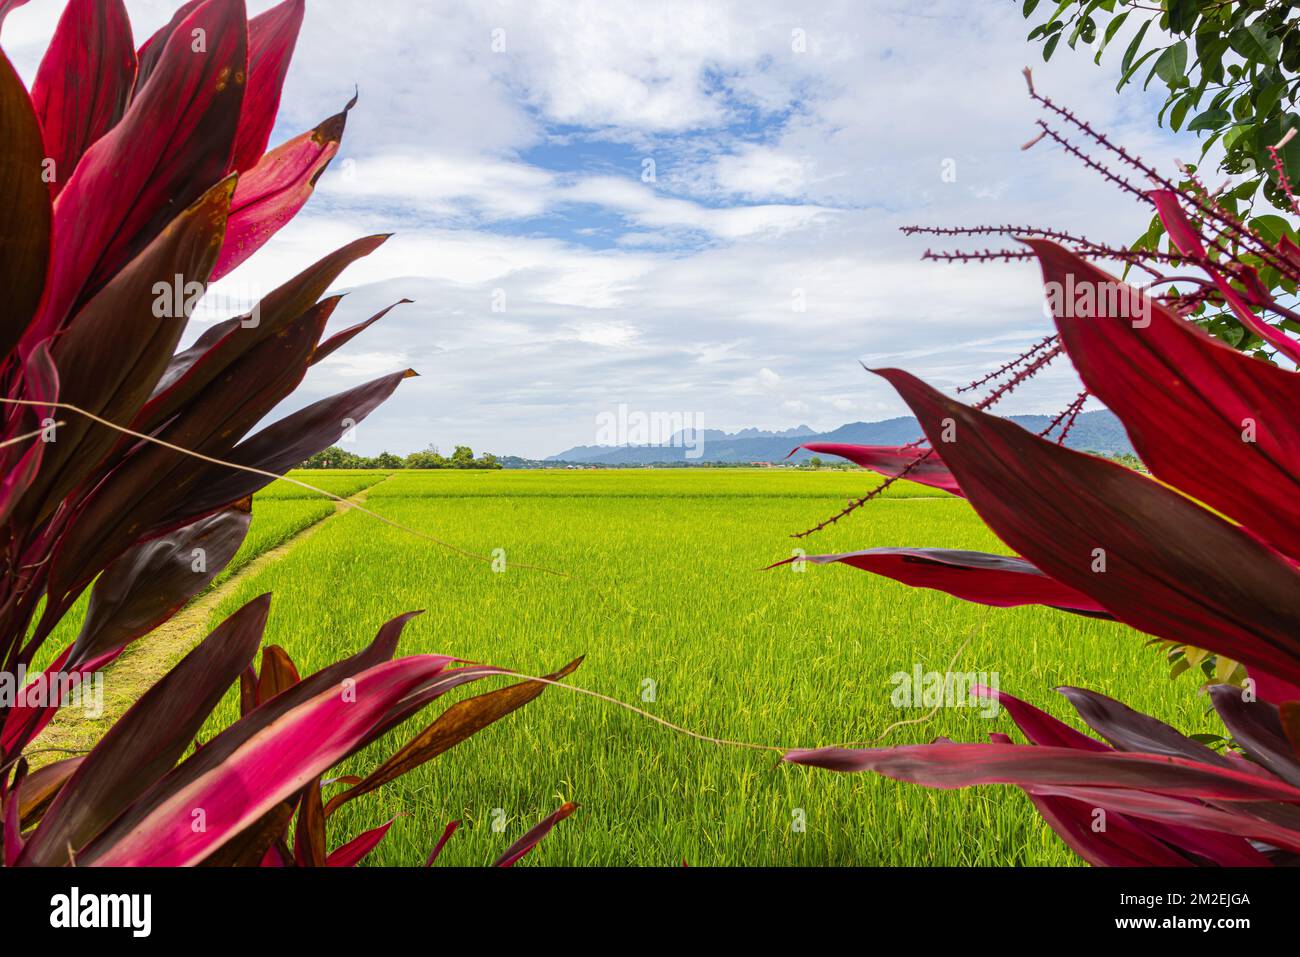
{"x": 1172, "y": 569}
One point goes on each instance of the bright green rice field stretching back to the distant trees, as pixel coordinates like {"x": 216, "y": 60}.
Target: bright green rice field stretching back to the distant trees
{"x": 668, "y": 600}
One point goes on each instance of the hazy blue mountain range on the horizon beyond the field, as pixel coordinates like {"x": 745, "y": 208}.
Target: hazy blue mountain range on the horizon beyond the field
{"x": 1099, "y": 431}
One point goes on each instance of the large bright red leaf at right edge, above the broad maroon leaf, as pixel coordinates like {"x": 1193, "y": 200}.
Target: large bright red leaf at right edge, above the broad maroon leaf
{"x": 1169, "y": 380}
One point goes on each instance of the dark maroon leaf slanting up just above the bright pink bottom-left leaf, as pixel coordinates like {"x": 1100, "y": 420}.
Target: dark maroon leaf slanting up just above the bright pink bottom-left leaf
{"x": 148, "y": 742}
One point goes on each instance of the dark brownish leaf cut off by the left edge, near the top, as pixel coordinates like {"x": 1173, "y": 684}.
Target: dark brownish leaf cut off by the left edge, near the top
{"x": 25, "y": 220}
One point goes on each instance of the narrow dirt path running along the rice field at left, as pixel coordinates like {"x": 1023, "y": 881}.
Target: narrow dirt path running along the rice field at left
{"x": 151, "y": 657}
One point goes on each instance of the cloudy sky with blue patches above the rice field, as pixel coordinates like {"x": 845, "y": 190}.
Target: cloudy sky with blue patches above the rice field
{"x": 508, "y": 146}
